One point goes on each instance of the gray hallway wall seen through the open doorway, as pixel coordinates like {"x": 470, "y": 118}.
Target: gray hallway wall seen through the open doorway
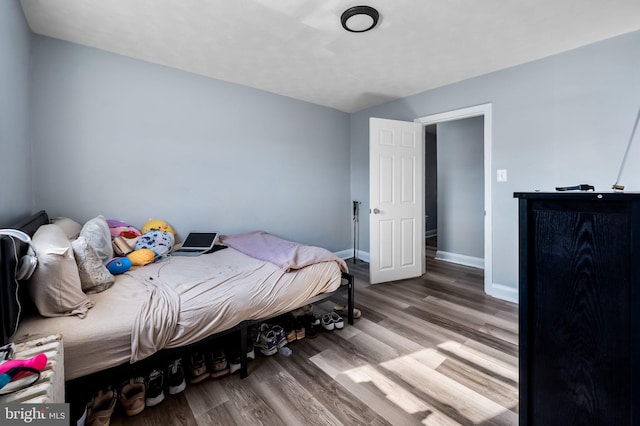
{"x": 461, "y": 187}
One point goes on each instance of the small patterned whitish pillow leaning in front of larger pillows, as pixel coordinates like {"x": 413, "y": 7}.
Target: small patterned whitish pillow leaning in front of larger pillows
{"x": 94, "y": 276}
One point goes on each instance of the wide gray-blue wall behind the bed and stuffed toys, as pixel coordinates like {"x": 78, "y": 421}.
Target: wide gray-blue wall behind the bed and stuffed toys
{"x": 133, "y": 140}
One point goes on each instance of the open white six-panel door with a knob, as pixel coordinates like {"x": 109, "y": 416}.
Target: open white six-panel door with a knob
{"x": 396, "y": 197}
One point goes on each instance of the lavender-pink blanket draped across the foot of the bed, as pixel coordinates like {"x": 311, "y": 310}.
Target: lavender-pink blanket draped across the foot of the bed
{"x": 286, "y": 254}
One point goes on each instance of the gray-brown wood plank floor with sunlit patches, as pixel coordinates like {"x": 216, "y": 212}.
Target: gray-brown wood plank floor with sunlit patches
{"x": 433, "y": 350}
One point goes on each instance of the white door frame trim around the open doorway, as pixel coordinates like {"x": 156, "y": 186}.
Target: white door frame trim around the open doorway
{"x": 484, "y": 110}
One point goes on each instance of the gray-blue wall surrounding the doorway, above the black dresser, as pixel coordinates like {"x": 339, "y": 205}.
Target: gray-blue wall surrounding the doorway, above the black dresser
{"x": 561, "y": 120}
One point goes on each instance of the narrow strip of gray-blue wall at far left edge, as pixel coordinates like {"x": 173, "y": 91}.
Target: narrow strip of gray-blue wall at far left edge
{"x": 15, "y": 150}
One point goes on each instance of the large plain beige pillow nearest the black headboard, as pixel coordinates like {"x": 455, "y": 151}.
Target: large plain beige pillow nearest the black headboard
{"x": 55, "y": 284}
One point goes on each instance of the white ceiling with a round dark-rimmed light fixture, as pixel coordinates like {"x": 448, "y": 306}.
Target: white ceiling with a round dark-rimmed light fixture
{"x": 298, "y": 48}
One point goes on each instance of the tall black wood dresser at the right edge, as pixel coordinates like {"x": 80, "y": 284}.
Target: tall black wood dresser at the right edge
{"x": 579, "y": 321}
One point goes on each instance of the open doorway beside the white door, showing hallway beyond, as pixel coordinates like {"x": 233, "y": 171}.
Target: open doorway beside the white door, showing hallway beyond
{"x": 454, "y": 189}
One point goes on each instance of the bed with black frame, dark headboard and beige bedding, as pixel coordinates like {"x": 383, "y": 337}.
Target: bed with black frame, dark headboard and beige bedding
{"x": 167, "y": 306}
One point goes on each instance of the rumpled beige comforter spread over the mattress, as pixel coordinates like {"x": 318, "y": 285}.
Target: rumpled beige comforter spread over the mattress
{"x": 178, "y": 301}
